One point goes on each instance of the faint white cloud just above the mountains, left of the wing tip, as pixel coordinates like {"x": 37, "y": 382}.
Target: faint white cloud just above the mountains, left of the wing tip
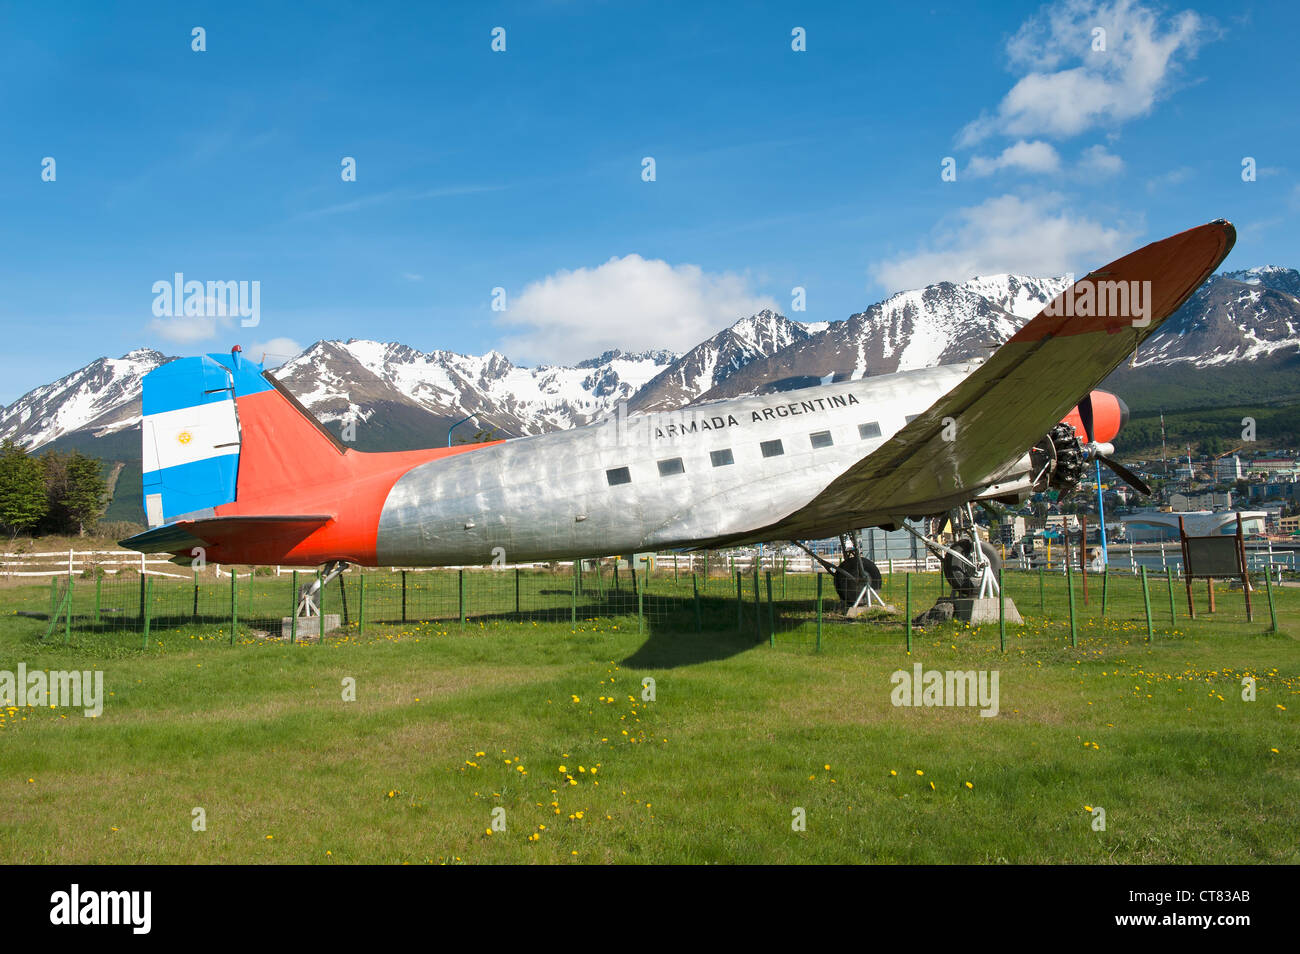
{"x": 1035, "y": 236}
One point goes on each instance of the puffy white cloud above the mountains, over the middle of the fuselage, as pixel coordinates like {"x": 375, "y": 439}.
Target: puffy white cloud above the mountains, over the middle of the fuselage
{"x": 630, "y": 303}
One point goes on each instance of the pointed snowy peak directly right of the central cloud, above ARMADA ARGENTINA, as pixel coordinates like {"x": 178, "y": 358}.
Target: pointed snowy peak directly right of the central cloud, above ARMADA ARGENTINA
{"x": 710, "y": 363}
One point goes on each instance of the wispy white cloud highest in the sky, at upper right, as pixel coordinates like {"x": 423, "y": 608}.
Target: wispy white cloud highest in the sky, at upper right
{"x": 1138, "y": 67}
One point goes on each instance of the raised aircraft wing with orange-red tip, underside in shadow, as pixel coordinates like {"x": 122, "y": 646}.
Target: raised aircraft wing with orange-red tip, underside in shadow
{"x": 1016, "y": 398}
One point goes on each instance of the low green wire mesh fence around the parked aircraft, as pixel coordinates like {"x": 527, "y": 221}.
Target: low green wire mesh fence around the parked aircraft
{"x": 717, "y": 593}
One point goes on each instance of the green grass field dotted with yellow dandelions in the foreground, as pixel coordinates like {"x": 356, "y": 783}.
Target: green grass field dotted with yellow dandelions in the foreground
{"x": 547, "y": 721}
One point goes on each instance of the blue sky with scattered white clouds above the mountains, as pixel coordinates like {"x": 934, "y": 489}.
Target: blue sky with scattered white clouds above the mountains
{"x": 523, "y": 170}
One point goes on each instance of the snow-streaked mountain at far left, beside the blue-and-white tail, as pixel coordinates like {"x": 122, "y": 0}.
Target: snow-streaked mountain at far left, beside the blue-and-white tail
{"x": 102, "y": 398}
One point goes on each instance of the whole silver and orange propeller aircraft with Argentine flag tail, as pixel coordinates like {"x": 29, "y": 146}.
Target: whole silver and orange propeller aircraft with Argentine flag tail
{"x": 236, "y": 466}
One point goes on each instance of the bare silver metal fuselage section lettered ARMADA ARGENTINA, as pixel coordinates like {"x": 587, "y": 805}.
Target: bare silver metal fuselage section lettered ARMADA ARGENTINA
{"x": 551, "y": 496}
